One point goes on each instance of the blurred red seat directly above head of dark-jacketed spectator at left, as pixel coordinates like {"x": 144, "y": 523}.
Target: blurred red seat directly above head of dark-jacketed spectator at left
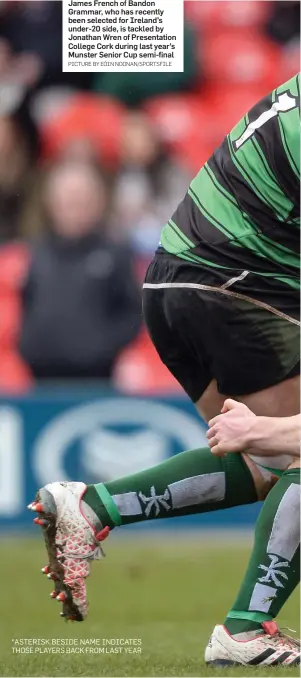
{"x": 86, "y": 116}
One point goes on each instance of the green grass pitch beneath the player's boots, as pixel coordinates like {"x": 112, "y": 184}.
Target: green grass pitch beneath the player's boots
{"x": 168, "y": 591}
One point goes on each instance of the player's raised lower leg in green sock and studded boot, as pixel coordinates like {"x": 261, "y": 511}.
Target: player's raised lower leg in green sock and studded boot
{"x": 76, "y": 518}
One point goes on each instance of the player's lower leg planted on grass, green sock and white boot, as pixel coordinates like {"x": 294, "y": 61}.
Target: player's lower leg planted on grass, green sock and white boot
{"x": 249, "y": 635}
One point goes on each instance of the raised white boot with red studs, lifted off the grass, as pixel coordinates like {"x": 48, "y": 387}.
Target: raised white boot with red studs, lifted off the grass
{"x": 73, "y": 539}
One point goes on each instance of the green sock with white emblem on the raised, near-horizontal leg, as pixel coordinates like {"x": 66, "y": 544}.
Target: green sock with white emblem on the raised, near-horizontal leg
{"x": 191, "y": 482}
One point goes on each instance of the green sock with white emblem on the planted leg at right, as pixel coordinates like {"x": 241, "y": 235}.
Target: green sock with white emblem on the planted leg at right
{"x": 274, "y": 568}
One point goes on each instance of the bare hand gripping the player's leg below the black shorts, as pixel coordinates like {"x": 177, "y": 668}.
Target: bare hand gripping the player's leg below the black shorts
{"x": 231, "y": 430}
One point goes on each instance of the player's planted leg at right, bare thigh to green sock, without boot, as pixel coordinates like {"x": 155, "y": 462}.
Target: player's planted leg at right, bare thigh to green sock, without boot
{"x": 274, "y": 568}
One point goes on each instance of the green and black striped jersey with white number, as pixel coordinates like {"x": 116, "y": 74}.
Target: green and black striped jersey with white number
{"x": 242, "y": 209}
